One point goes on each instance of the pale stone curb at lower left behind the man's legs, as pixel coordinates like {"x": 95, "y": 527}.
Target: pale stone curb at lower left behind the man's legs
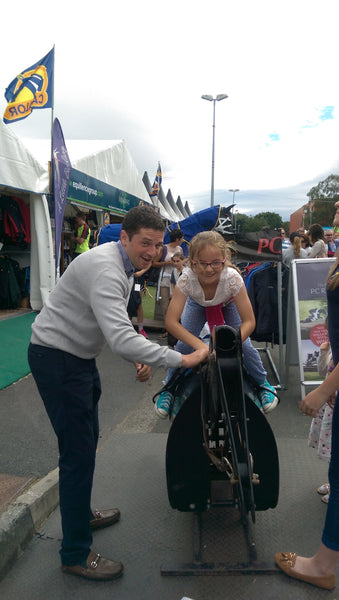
{"x": 24, "y": 516}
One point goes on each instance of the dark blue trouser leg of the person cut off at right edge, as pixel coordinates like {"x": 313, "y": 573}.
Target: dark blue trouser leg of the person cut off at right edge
{"x": 330, "y": 537}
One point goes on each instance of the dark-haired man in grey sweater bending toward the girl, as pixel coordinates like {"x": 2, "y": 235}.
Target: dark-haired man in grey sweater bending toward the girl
{"x": 86, "y": 309}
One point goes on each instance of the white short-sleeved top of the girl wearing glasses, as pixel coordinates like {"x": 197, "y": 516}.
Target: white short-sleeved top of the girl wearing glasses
{"x": 229, "y": 285}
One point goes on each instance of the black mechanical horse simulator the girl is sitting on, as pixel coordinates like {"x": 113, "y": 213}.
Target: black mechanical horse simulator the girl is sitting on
{"x": 221, "y": 459}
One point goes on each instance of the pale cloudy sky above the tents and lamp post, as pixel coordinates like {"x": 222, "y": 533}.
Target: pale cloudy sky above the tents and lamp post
{"x": 137, "y": 70}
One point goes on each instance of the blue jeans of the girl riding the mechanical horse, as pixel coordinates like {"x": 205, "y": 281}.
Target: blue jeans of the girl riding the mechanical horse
{"x": 194, "y": 318}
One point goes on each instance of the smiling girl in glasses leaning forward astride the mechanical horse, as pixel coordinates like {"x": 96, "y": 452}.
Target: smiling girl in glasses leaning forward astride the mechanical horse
{"x": 213, "y": 290}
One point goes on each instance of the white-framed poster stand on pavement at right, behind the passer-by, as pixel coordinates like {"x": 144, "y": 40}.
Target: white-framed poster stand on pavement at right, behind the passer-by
{"x": 307, "y": 311}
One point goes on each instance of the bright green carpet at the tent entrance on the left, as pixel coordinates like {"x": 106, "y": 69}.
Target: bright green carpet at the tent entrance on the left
{"x": 15, "y": 334}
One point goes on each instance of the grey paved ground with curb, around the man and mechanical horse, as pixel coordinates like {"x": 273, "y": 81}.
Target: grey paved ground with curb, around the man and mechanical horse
{"x": 130, "y": 473}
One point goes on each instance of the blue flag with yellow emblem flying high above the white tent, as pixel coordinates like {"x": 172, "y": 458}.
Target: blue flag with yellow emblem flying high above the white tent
{"x": 33, "y": 88}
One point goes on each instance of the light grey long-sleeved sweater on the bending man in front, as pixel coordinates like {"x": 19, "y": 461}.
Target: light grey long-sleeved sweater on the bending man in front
{"x": 88, "y": 307}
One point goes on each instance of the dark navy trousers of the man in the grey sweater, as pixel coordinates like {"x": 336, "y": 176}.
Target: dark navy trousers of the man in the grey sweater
{"x": 70, "y": 389}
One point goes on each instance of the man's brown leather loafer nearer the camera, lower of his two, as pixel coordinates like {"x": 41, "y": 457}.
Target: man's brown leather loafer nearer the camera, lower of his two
{"x": 97, "y": 567}
